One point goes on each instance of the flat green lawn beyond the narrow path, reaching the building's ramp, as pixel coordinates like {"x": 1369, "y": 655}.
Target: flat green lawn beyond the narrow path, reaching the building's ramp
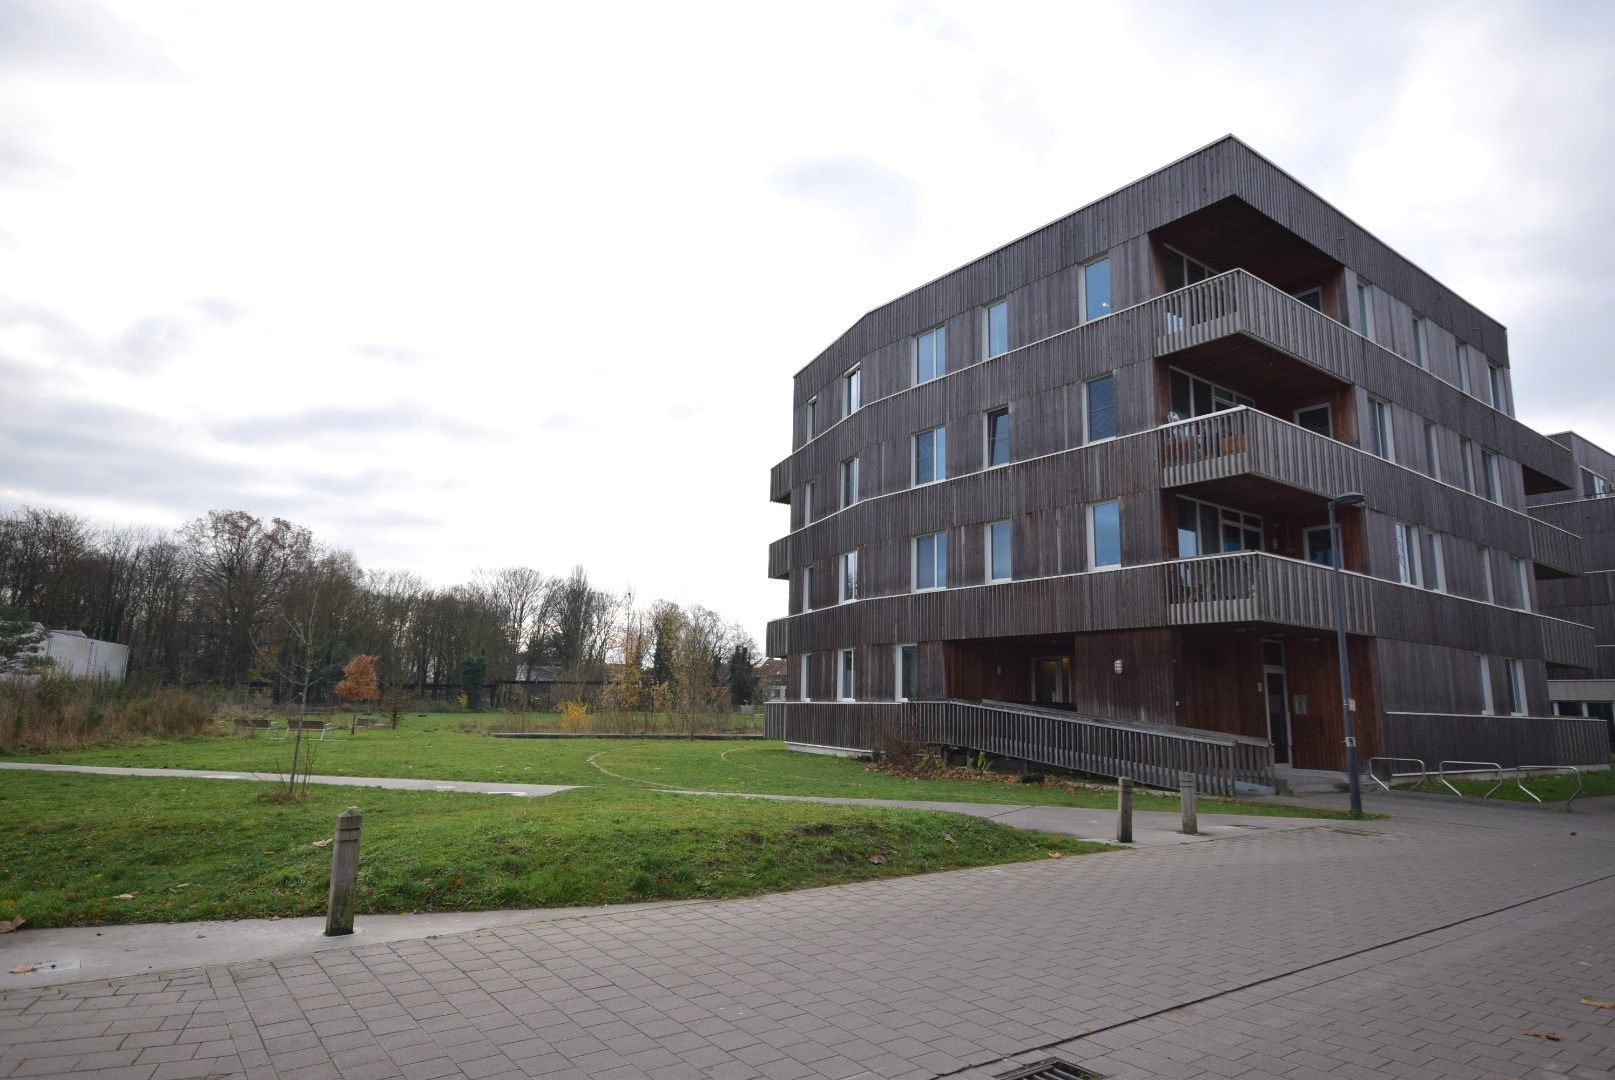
{"x": 437, "y": 748}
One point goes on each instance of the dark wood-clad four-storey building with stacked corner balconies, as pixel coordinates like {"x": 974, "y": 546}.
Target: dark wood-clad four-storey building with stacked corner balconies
{"x": 1217, "y": 353}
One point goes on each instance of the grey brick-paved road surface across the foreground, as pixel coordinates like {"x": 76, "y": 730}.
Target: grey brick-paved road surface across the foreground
{"x": 1419, "y": 947}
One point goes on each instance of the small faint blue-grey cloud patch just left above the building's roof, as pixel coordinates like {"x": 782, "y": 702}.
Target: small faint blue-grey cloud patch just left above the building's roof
{"x": 881, "y": 204}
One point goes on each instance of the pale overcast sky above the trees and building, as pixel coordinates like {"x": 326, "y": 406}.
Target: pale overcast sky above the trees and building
{"x": 477, "y": 285}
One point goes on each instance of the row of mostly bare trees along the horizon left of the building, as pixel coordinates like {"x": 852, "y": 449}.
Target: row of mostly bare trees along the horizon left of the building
{"x": 240, "y": 601}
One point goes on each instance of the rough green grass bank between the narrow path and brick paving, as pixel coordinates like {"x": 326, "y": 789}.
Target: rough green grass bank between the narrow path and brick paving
{"x": 193, "y": 850}
